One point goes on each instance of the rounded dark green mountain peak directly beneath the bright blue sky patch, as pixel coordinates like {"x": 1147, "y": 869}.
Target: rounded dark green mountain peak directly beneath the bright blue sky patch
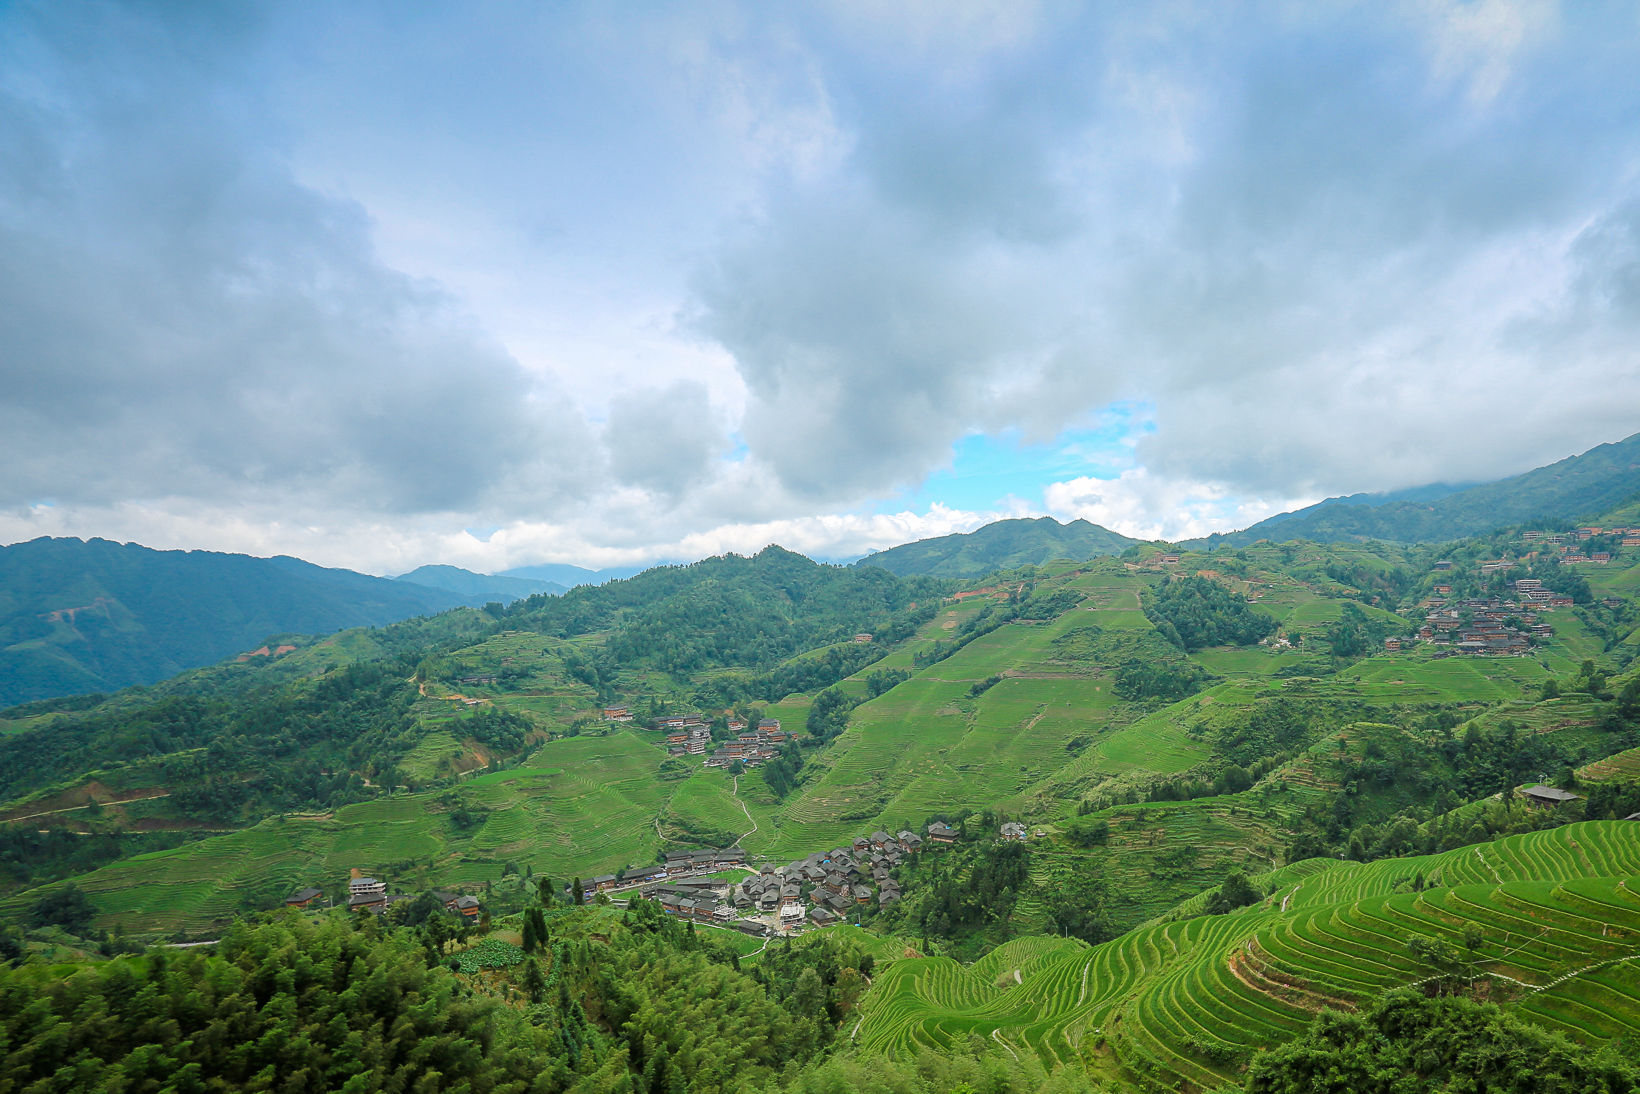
{"x": 1001, "y": 545}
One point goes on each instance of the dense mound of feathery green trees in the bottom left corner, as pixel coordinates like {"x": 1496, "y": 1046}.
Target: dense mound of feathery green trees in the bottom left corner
{"x": 281, "y": 1006}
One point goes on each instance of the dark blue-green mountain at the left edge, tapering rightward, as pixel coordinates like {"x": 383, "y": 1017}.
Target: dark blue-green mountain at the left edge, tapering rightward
{"x": 81, "y": 618}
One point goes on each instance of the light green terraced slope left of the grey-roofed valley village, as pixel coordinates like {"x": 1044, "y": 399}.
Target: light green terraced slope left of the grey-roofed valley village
{"x": 585, "y": 806}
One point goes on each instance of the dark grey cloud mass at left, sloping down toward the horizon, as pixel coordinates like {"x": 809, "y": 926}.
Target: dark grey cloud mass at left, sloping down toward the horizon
{"x": 184, "y": 319}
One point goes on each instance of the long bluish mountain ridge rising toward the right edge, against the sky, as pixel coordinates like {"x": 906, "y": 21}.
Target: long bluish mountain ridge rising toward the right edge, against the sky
{"x": 1574, "y": 490}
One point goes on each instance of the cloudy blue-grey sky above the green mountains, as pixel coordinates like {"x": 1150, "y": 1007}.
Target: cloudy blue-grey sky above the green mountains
{"x": 496, "y": 285}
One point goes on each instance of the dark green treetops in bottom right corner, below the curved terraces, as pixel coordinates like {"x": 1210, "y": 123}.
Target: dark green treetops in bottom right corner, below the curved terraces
{"x": 1410, "y": 1042}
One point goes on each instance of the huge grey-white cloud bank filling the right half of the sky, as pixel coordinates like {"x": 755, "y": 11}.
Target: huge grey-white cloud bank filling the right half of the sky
{"x": 1306, "y": 235}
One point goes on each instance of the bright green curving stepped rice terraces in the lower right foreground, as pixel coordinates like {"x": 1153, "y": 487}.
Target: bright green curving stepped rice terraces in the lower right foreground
{"x": 1185, "y": 1005}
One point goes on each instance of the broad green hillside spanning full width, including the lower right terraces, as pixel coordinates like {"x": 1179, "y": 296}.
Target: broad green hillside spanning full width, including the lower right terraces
{"x": 1162, "y": 724}
